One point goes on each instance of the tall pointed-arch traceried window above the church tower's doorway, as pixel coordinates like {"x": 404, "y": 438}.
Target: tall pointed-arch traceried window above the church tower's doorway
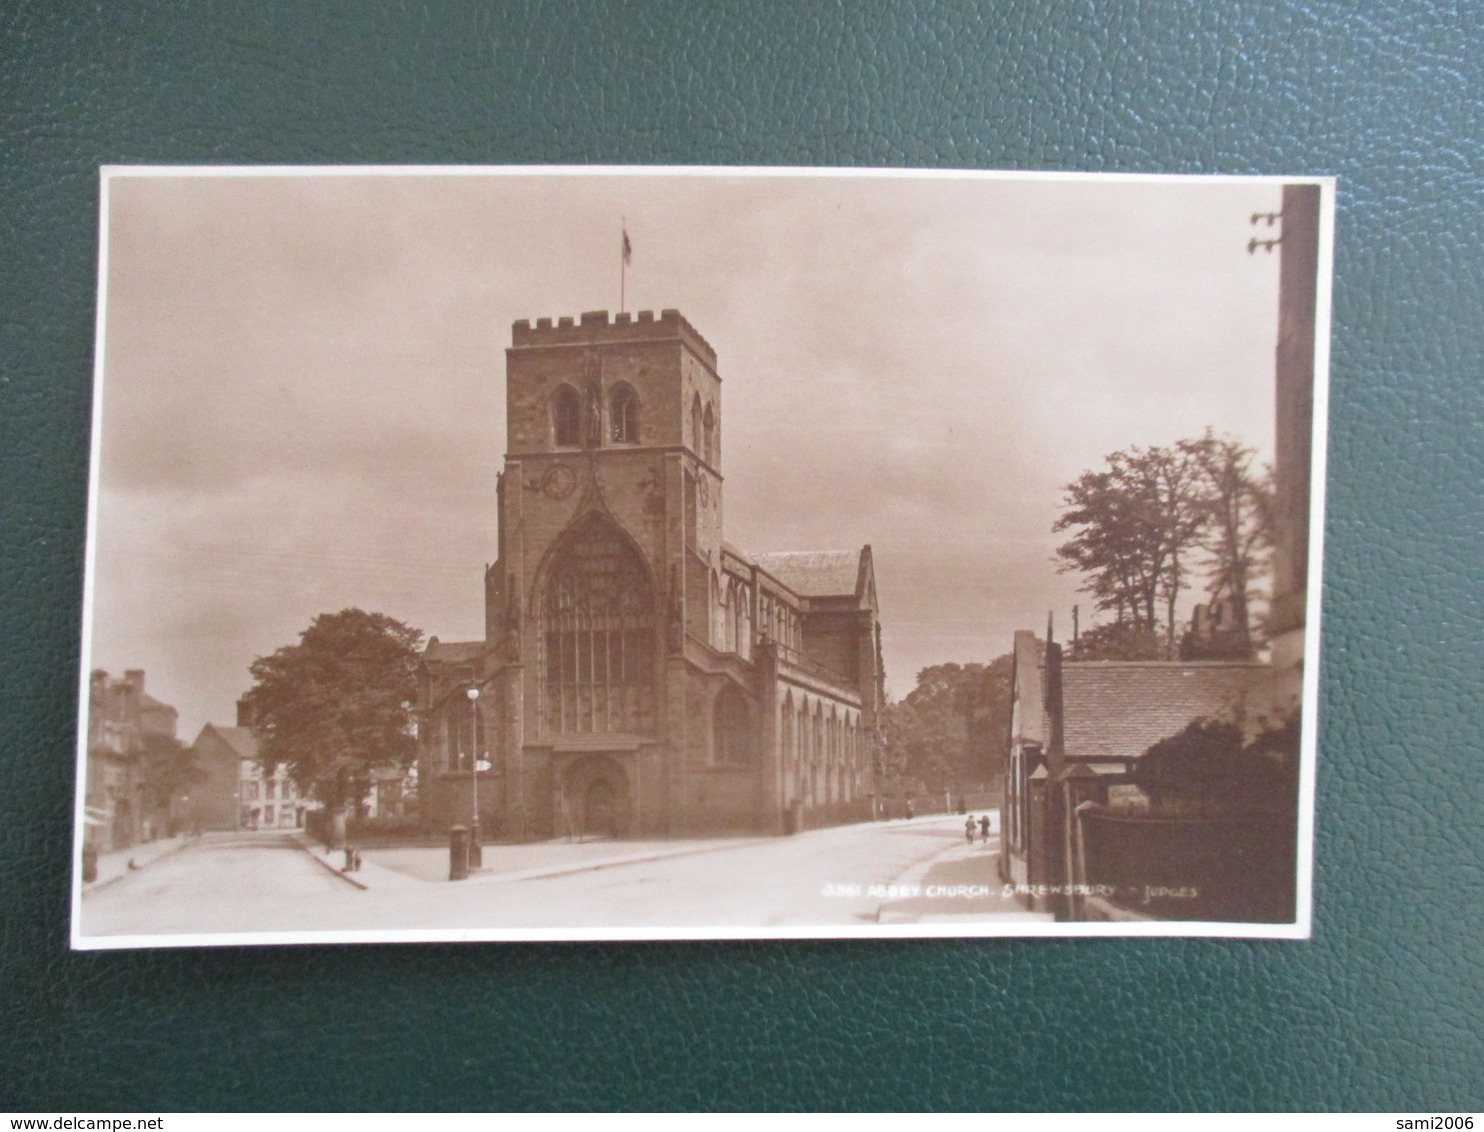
{"x": 599, "y": 636}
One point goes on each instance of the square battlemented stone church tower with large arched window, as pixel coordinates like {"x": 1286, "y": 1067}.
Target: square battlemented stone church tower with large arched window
{"x": 611, "y": 486}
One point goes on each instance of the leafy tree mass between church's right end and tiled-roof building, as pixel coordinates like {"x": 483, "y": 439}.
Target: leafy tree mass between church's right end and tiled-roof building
{"x": 952, "y": 726}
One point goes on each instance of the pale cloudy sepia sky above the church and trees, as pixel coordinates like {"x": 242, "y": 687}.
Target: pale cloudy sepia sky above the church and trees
{"x": 303, "y": 384}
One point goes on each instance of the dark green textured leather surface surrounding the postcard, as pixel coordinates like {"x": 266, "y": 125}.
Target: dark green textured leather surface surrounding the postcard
{"x": 1385, "y": 1007}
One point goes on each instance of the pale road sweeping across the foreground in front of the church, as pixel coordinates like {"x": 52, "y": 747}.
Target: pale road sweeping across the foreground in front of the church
{"x": 851, "y": 876}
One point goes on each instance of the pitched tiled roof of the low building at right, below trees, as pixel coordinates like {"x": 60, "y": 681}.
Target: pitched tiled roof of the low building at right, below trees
{"x": 1121, "y": 708}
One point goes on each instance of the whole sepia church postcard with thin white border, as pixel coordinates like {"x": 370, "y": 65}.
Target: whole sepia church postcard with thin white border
{"x": 677, "y": 554}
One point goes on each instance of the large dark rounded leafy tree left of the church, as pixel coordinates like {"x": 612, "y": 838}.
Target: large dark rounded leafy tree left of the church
{"x": 339, "y": 705}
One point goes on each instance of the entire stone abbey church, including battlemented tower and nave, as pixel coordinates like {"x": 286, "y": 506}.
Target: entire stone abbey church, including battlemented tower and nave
{"x": 639, "y": 676}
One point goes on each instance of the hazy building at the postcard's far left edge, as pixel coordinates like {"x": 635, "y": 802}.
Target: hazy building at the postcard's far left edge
{"x": 122, "y": 719}
